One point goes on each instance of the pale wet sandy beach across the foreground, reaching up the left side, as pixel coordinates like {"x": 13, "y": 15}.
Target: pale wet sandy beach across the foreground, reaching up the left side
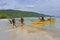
{"x": 26, "y": 32}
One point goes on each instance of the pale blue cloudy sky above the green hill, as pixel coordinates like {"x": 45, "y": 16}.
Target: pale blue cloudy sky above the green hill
{"x": 49, "y": 7}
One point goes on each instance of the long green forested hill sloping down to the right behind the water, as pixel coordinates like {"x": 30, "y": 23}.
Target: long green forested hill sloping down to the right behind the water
{"x": 17, "y": 13}
